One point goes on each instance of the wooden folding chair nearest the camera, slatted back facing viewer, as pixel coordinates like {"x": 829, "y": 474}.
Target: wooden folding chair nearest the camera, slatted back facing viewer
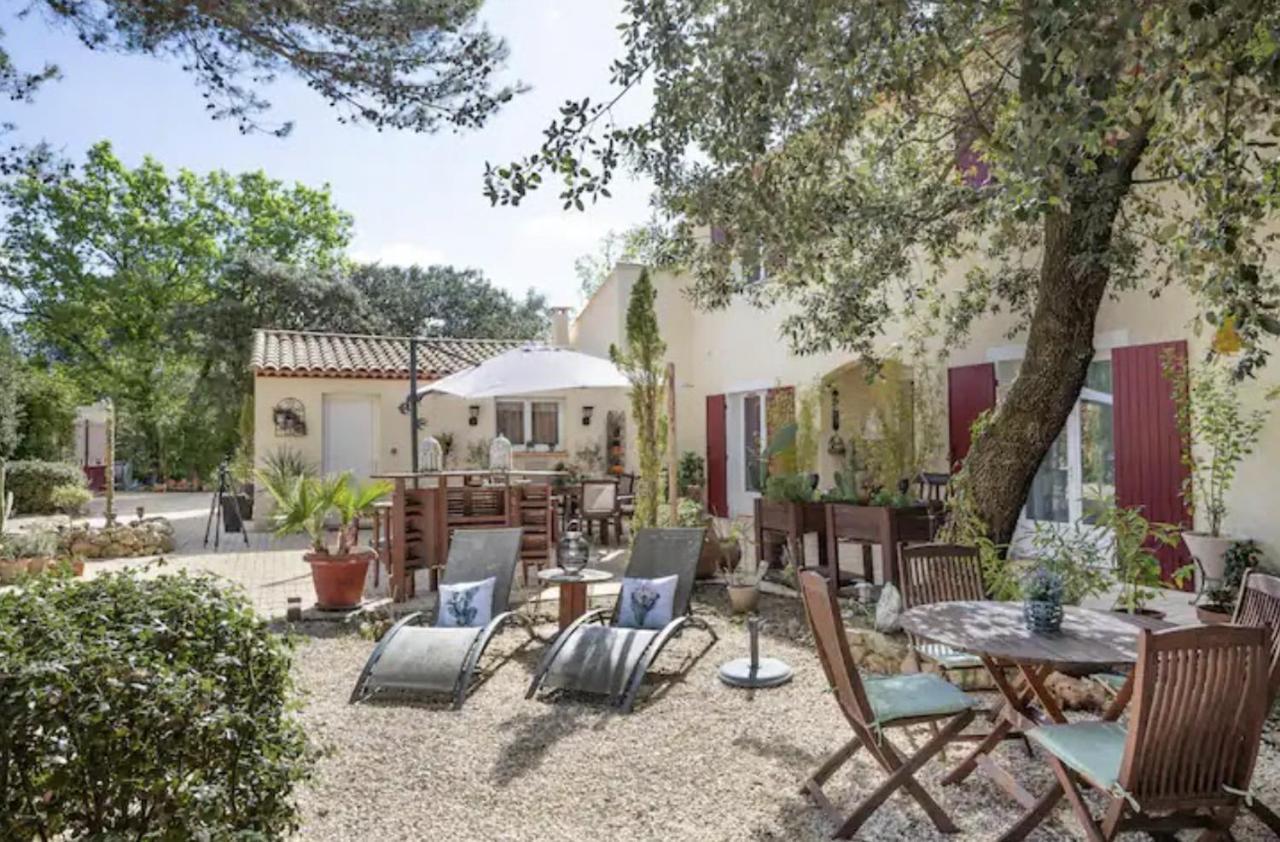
{"x": 1186, "y": 759}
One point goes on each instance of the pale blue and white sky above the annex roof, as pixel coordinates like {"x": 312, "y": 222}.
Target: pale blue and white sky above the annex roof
{"x": 414, "y": 198}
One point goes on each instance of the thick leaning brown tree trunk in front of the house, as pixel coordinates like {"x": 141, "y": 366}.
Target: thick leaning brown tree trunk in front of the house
{"x": 1075, "y": 276}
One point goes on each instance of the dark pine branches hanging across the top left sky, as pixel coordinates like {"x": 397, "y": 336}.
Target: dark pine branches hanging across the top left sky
{"x": 412, "y": 65}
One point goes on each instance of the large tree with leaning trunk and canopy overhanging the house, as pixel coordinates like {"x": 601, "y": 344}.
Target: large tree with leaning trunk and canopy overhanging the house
{"x": 1066, "y": 150}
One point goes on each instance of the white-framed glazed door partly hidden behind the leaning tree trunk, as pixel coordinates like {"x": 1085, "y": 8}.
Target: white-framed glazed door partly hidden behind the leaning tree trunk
{"x": 1077, "y": 478}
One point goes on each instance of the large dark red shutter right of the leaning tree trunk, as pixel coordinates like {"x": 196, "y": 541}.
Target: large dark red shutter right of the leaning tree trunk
{"x": 1150, "y": 470}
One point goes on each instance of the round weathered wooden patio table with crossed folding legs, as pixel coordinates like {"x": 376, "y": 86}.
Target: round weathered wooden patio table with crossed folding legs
{"x": 1090, "y": 642}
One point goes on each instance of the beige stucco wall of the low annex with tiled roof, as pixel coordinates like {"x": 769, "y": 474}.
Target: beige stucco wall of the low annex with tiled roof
{"x": 444, "y": 414}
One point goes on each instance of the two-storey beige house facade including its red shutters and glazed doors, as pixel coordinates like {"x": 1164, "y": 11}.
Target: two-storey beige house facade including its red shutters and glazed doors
{"x": 1121, "y": 442}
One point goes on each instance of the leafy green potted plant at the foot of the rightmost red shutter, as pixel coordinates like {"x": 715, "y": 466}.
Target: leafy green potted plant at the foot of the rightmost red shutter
{"x": 1135, "y": 542}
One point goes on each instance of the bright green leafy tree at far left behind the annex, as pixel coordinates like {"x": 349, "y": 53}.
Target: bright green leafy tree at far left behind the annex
{"x": 104, "y": 266}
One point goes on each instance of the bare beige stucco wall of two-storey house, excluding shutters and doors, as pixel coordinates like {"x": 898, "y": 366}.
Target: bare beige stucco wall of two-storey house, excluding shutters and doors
{"x": 742, "y": 349}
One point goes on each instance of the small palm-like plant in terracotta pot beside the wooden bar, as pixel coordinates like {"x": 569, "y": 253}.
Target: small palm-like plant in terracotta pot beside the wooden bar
{"x": 337, "y": 571}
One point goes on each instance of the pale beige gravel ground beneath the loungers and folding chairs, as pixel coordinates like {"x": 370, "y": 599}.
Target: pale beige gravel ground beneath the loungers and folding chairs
{"x": 694, "y": 762}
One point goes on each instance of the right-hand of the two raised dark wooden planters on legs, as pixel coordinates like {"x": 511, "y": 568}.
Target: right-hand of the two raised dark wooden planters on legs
{"x": 888, "y": 527}
